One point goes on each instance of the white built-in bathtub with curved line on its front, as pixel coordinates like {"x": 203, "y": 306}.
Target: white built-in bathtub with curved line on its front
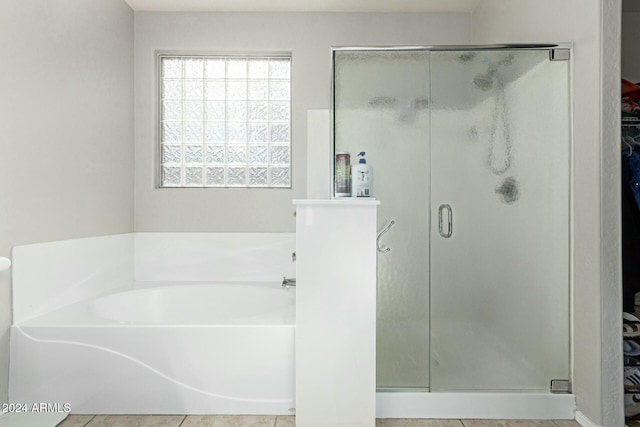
{"x": 166, "y": 348}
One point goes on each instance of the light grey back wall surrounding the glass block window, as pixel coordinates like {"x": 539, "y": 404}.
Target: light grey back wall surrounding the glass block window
{"x": 309, "y": 37}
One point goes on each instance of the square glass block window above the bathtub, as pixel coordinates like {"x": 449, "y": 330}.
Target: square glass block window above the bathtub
{"x": 225, "y": 121}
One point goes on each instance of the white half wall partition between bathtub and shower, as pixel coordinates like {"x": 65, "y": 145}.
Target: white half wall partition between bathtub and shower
{"x": 336, "y": 313}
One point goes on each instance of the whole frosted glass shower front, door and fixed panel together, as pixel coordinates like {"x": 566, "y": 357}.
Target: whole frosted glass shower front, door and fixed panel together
{"x": 469, "y": 150}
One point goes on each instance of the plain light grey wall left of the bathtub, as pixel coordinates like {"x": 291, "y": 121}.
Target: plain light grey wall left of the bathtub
{"x": 66, "y": 168}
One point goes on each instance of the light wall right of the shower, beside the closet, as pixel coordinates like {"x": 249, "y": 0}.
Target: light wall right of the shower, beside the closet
{"x": 591, "y": 27}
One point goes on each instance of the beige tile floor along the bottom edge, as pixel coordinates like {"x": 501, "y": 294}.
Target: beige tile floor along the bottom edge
{"x": 278, "y": 421}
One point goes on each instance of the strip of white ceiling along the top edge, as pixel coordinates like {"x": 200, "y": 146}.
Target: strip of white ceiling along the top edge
{"x": 305, "y": 5}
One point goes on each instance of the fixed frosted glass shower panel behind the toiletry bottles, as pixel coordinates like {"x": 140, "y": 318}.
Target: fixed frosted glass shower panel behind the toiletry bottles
{"x": 381, "y": 107}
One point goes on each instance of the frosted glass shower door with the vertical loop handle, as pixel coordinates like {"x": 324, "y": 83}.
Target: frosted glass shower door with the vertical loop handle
{"x": 500, "y": 187}
